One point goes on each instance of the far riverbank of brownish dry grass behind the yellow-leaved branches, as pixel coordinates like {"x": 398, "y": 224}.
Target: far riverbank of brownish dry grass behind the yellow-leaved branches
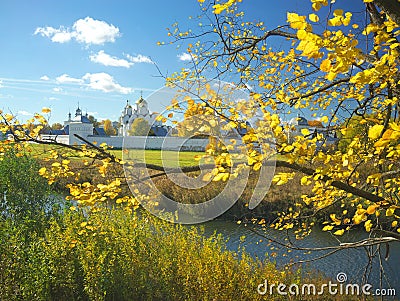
{"x": 276, "y": 199}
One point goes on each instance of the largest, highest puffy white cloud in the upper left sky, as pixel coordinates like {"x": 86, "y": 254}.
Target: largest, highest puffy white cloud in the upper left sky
{"x": 87, "y": 31}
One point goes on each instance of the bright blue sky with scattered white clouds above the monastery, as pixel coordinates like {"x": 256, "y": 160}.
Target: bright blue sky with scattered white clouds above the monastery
{"x": 98, "y": 53}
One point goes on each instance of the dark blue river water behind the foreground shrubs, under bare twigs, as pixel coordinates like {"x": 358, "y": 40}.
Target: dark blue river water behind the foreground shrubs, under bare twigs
{"x": 352, "y": 262}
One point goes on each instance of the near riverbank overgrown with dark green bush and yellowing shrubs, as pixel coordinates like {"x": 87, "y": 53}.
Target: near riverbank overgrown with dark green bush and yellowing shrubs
{"x": 115, "y": 254}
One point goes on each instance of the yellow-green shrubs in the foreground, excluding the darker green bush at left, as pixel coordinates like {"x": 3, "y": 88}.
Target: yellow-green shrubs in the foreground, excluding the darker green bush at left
{"x": 116, "y": 255}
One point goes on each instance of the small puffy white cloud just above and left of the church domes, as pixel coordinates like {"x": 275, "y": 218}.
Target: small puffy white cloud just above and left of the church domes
{"x": 105, "y": 82}
